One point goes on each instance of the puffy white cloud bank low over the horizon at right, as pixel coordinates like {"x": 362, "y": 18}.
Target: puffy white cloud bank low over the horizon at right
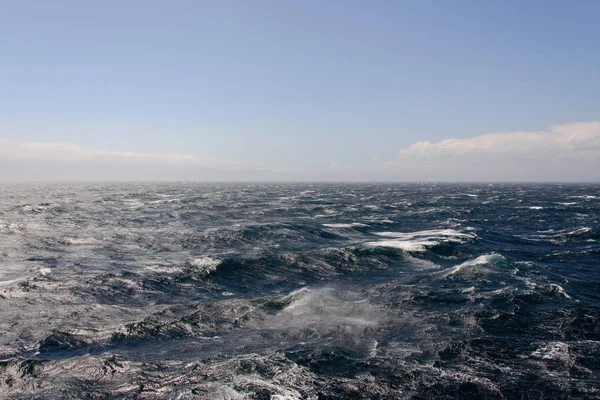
{"x": 569, "y": 152}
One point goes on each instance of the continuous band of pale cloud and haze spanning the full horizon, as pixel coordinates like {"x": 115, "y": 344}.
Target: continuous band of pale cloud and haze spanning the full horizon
{"x": 568, "y": 152}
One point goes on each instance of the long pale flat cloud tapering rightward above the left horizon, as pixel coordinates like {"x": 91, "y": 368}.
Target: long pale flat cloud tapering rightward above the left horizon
{"x": 50, "y": 161}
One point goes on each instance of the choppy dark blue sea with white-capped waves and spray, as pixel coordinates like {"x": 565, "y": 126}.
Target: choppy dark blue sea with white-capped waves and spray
{"x": 299, "y": 291}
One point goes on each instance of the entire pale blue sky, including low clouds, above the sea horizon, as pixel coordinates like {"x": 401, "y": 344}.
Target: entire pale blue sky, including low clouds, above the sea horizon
{"x": 446, "y": 90}
